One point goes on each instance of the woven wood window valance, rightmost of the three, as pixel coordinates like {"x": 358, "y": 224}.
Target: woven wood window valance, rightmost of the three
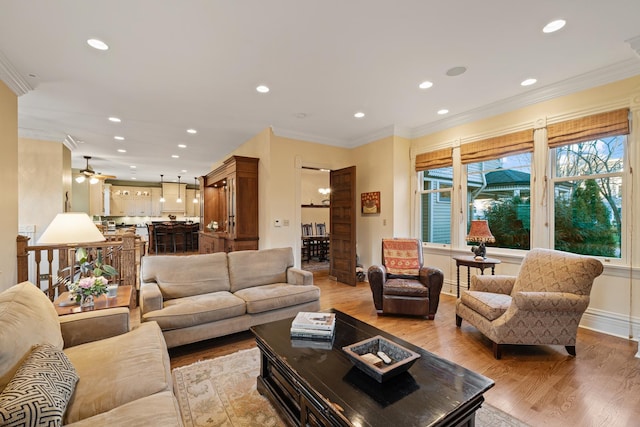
{"x": 589, "y": 128}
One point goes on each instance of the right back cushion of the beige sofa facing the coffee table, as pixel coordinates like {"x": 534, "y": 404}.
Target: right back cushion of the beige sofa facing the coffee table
{"x": 256, "y": 268}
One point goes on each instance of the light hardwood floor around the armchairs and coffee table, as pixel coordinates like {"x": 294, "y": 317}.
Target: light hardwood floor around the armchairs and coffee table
{"x": 540, "y": 385}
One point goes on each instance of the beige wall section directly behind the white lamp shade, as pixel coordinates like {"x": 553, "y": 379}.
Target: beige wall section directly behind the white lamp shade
{"x": 44, "y": 176}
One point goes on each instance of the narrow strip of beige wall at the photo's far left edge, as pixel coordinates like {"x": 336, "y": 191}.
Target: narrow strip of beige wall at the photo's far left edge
{"x": 9, "y": 179}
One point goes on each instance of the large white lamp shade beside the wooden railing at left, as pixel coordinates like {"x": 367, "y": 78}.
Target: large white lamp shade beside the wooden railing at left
{"x": 70, "y": 228}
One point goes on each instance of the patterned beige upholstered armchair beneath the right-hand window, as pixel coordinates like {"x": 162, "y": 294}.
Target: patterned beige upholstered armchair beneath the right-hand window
{"x": 542, "y": 305}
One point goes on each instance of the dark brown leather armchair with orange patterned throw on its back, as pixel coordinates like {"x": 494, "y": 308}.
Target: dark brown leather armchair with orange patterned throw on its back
{"x": 402, "y": 285}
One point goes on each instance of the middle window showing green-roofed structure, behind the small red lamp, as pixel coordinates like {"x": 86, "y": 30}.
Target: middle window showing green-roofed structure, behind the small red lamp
{"x": 499, "y": 191}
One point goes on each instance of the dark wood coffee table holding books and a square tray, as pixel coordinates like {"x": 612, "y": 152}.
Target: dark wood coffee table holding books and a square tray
{"x": 311, "y": 385}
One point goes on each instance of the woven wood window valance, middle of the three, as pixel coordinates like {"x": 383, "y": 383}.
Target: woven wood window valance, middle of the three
{"x": 496, "y": 147}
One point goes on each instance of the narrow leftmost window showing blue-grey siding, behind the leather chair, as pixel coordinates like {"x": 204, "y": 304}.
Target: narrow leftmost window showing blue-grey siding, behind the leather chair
{"x": 435, "y": 205}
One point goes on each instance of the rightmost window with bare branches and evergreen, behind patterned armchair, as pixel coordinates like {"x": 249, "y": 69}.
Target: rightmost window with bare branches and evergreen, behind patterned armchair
{"x": 587, "y": 181}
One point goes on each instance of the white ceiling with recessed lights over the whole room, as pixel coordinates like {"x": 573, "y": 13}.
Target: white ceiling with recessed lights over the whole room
{"x": 174, "y": 65}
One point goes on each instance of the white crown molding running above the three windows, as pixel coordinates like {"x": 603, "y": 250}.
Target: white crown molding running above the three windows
{"x": 609, "y": 74}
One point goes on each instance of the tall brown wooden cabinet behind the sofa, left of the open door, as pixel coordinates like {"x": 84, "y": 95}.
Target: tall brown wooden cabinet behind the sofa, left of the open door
{"x": 229, "y": 196}
